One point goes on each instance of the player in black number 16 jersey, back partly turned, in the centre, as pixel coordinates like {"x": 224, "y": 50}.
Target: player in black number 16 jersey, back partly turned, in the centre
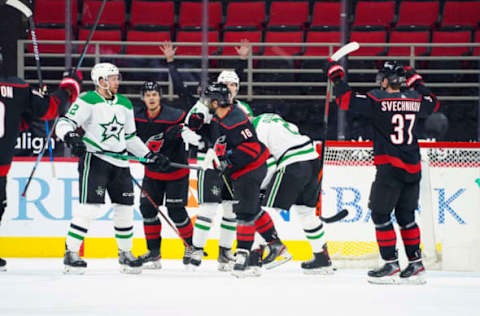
{"x": 243, "y": 159}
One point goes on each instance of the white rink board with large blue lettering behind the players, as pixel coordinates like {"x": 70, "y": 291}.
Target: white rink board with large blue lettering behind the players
{"x": 50, "y": 203}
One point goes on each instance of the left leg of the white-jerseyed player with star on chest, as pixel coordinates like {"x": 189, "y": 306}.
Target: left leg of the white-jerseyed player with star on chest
{"x": 93, "y": 176}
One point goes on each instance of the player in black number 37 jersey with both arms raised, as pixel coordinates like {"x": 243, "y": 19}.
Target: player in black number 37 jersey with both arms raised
{"x": 393, "y": 114}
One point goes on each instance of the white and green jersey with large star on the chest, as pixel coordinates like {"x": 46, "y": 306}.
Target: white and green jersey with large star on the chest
{"x": 109, "y": 125}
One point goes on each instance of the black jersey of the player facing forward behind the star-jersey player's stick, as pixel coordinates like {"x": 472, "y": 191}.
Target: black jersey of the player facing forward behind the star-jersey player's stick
{"x": 162, "y": 134}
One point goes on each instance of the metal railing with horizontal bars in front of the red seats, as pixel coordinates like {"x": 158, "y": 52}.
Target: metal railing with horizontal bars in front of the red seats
{"x": 448, "y": 90}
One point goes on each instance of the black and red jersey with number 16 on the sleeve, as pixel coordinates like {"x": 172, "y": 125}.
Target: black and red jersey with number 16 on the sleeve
{"x": 239, "y": 142}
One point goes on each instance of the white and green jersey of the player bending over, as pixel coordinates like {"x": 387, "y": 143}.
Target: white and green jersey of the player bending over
{"x": 283, "y": 140}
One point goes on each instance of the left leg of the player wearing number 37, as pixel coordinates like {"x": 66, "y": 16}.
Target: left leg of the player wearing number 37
{"x": 384, "y": 195}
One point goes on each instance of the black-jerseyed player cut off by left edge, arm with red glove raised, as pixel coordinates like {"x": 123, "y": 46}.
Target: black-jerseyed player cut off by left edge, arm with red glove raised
{"x": 18, "y": 100}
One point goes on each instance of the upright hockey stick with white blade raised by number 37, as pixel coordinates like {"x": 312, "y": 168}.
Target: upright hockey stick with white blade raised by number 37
{"x": 343, "y": 51}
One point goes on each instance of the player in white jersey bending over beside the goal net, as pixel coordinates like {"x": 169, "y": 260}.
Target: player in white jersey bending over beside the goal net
{"x": 295, "y": 183}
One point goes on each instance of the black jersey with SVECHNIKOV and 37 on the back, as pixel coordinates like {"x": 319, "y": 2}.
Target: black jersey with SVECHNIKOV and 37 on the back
{"x": 394, "y": 117}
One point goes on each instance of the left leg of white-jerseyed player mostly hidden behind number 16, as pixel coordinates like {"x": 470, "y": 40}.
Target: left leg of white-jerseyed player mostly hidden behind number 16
{"x": 209, "y": 197}
